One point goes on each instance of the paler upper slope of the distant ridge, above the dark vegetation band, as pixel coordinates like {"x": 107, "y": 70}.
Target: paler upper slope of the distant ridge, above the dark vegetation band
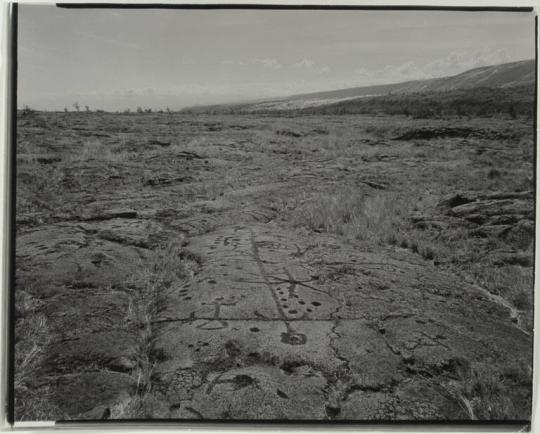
{"x": 507, "y": 75}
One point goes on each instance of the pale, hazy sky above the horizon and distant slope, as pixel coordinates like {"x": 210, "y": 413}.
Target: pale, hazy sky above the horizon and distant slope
{"x": 114, "y": 59}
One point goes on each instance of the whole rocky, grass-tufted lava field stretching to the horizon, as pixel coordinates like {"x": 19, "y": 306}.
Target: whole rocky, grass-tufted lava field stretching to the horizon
{"x": 249, "y": 267}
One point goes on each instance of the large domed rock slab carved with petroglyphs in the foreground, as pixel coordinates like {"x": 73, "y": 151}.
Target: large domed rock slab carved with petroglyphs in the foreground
{"x": 259, "y": 319}
